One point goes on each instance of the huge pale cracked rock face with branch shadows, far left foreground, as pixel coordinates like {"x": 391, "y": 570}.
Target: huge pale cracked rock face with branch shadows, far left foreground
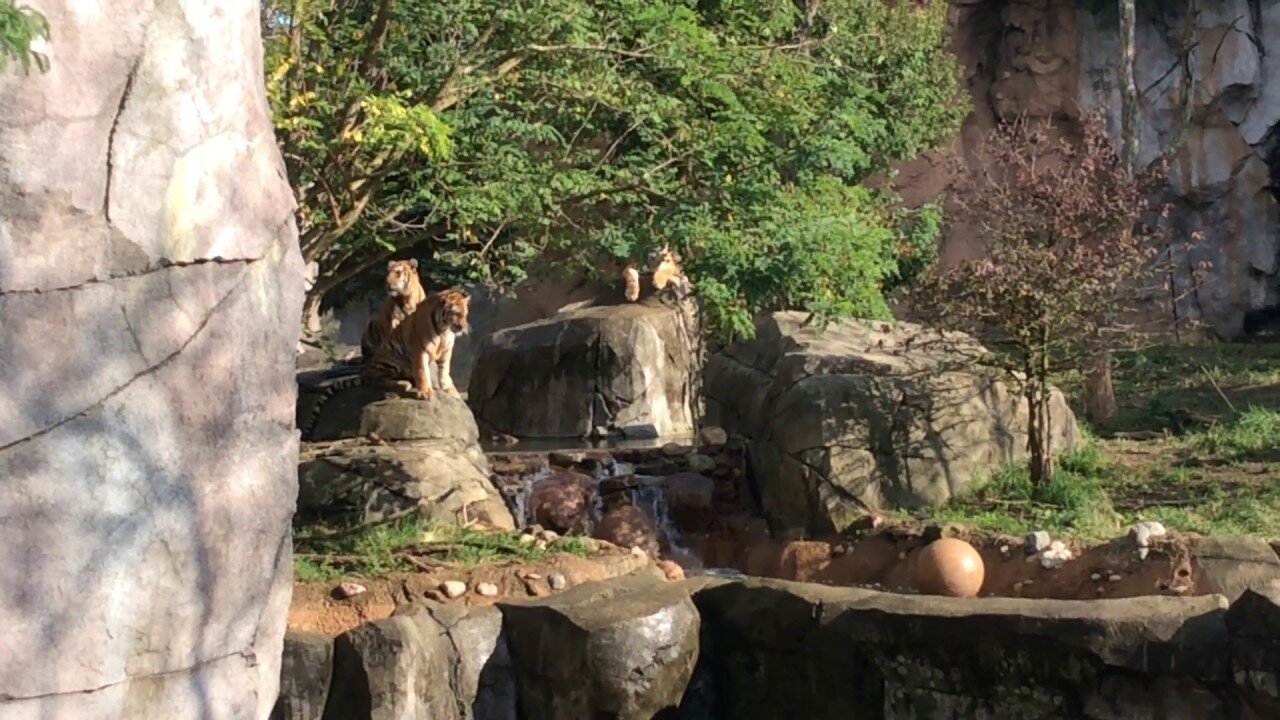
{"x": 150, "y": 293}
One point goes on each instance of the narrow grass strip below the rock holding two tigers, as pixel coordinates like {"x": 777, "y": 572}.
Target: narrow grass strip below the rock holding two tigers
{"x": 382, "y": 550}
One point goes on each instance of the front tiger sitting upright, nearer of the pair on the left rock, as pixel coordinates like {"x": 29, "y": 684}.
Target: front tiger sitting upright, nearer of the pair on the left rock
{"x": 428, "y": 335}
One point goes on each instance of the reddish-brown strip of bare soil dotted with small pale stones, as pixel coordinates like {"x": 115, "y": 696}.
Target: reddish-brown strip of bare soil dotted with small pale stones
{"x": 318, "y": 609}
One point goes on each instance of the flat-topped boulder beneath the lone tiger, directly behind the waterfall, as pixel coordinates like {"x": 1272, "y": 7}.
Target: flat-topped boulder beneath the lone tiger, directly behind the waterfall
{"x": 621, "y": 368}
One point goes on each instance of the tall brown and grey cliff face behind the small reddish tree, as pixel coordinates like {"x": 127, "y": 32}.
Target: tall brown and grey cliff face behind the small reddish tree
{"x": 1057, "y": 58}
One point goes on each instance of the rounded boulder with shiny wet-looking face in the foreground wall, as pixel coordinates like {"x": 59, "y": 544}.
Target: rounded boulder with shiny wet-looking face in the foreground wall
{"x": 624, "y": 649}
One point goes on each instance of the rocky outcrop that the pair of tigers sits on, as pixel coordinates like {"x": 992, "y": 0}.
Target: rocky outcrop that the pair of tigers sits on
{"x": 427, "y": 457}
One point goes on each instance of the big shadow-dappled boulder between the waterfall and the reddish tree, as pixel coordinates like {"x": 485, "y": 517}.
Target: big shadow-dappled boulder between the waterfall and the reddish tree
{"x": 866, "y": 417}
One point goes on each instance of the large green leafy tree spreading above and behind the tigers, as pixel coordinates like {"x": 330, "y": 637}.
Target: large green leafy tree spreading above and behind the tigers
{"x": 510, "y": 138}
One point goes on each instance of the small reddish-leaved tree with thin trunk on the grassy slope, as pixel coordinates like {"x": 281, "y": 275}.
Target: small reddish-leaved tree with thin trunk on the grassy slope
{"x": 1071, "y": 252}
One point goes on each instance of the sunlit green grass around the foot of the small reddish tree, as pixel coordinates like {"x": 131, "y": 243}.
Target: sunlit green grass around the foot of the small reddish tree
{"x": 1215, "y": 482}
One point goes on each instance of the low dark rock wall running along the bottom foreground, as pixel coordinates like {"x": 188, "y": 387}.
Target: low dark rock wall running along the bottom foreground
{"x": 637, "y": 649}
